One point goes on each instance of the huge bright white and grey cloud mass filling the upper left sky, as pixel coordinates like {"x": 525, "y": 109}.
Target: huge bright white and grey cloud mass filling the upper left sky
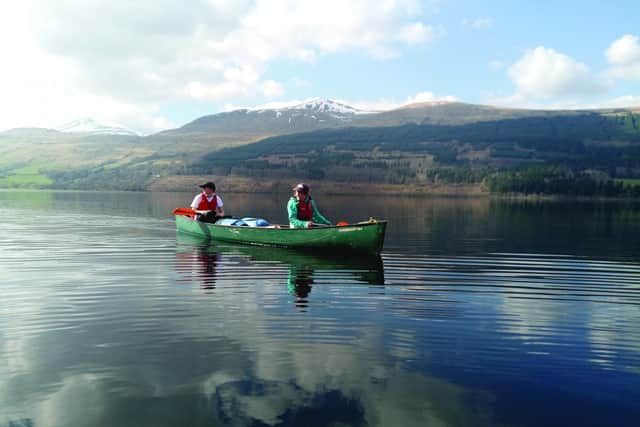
{"x": 64, "y": 58}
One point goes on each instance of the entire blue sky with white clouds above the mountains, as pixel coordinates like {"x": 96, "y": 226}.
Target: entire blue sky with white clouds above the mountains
{"x": 153, "y": 65}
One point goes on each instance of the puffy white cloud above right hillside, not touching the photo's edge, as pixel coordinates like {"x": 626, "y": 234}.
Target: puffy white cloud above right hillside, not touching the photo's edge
{"x": 545, "y": 73}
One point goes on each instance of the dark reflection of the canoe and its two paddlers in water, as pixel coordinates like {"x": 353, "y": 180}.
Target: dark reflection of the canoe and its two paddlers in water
{"x": 199, "y": 258}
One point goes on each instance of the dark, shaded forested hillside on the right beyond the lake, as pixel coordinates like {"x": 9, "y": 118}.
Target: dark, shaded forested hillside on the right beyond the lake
{"x": 427, "y": 154}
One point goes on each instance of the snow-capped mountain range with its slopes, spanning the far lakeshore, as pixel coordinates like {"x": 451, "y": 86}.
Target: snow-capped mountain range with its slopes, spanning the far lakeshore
{"x": 326, "y": 139}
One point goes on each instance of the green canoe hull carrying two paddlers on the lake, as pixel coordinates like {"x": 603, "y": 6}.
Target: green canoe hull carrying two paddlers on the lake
{"x": 366, "y": 236}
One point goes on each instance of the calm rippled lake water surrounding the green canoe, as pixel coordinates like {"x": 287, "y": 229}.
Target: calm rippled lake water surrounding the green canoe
{"x": 479, "y": 312}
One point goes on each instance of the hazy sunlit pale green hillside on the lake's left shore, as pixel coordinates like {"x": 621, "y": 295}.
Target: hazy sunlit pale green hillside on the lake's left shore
{"x": 63, "y": 160}
